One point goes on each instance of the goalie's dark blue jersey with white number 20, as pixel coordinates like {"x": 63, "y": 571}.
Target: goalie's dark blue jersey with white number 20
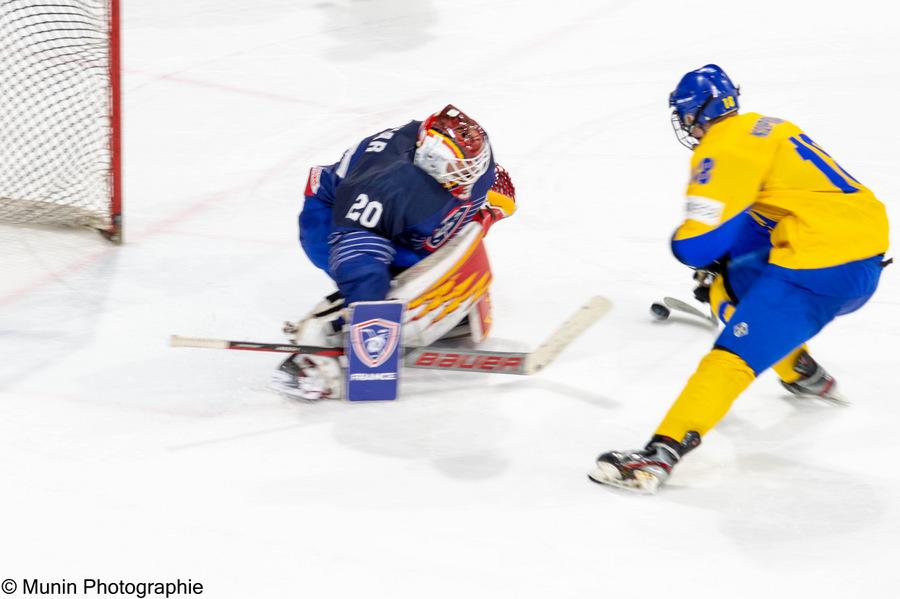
{"x": 375, "y": 213}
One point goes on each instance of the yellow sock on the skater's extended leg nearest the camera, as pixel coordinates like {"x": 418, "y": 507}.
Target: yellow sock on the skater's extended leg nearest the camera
{"x": 708, "y": 395}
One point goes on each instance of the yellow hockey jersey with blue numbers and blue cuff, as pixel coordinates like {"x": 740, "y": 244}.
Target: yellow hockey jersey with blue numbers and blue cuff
{"x": 818, "y": 215}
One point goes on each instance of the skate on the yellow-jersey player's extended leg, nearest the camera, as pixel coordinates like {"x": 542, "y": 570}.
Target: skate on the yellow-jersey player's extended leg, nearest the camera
{"x": 643, "y": 470}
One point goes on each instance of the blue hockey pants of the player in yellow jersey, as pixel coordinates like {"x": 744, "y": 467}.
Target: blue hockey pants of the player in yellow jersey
{"x": 779, "y": 308}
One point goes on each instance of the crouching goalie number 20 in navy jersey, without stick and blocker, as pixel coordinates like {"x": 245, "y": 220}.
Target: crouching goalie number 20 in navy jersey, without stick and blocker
{"x": 424, "y": 194}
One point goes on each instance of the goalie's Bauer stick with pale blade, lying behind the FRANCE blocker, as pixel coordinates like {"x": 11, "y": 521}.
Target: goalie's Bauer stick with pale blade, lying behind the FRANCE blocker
{"x": 464, "y": 360}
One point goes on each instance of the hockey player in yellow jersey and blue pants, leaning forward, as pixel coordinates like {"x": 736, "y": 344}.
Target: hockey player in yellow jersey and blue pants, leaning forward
{"x": 795, "y": 240}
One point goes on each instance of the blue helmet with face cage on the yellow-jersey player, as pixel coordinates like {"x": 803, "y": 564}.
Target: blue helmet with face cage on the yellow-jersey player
{"x": 702, "y": 96}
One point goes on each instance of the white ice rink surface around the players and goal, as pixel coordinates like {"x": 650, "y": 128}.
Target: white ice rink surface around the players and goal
{"x": 122, "y": 458}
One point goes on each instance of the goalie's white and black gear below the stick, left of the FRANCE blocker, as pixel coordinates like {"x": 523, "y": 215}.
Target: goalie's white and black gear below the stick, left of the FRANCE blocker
{"x": 309, "y": 377}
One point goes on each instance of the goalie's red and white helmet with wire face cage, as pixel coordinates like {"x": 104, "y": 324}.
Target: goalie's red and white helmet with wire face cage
{"x": 453, "y": 149}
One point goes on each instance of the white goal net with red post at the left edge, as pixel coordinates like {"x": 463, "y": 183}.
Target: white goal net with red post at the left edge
{"x": 60, "y": 139}
